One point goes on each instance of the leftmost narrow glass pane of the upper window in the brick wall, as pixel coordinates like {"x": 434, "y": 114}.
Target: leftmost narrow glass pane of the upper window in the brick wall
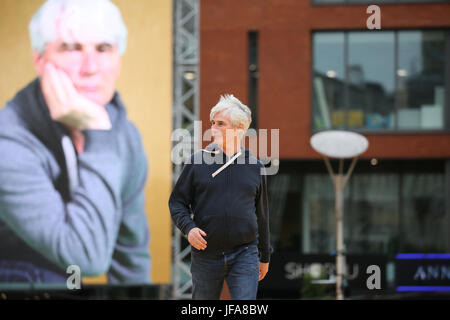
{"x": 328, "y": 78}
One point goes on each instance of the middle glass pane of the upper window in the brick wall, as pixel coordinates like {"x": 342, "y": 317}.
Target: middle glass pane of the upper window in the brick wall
{"x": 371, "y": 77}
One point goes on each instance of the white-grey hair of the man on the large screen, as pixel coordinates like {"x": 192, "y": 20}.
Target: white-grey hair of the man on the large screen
{"x": 100, "y": 19}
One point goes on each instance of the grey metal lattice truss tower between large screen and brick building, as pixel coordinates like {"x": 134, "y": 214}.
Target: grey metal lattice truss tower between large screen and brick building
{"x": 185, "y": 114}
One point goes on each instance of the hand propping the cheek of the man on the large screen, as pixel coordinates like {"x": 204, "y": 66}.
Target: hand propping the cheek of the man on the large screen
{"x": 69, "y": 107}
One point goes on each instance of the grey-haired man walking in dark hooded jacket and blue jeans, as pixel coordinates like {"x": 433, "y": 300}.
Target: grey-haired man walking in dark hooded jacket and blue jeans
{"x": 229, "y": 232}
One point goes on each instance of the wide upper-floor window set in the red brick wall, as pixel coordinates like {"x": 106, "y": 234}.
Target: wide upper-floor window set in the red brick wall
{"x": 379, "y": 80}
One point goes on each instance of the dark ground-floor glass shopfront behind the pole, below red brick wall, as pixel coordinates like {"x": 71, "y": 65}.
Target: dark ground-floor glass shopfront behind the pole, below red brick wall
{"x": 391, "y": 207}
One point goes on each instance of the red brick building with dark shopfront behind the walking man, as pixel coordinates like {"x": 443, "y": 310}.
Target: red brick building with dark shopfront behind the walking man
{"x": 311, "y": 65}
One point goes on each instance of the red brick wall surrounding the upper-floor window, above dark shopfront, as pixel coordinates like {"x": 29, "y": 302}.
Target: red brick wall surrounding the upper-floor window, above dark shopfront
{"x": 285, "y": 28}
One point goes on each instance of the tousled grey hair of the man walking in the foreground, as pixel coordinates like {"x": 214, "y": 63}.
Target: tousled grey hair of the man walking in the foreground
{"x": 239, "y": 113}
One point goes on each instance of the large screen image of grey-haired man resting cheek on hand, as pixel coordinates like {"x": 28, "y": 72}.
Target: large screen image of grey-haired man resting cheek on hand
{"x": 73, "y": 168}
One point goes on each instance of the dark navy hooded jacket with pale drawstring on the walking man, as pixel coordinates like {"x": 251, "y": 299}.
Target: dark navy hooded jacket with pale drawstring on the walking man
{"x": 231, "y": 208}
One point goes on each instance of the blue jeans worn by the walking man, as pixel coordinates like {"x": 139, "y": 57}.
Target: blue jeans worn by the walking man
{"x": 240, "y": 268}
